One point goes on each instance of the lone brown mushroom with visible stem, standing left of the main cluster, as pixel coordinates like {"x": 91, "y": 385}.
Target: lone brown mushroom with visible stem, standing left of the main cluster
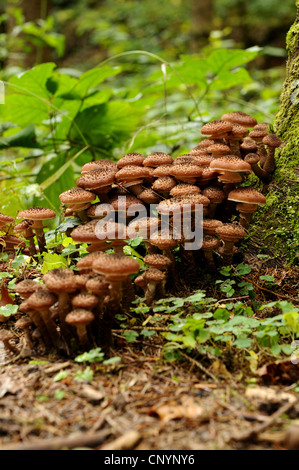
{"x": 37, "y": 215}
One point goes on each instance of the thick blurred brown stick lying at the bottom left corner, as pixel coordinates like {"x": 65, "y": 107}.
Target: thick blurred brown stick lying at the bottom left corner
{"x": 68, "y": 442}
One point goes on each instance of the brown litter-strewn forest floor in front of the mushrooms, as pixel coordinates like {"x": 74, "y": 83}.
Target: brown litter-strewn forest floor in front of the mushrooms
{"x": 146, "y": 403}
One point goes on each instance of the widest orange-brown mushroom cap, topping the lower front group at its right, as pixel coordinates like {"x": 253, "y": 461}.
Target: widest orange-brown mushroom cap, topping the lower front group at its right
{"x": 116, "y": 265}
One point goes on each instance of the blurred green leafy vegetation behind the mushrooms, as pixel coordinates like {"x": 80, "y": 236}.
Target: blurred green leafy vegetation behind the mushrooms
{"x": 126, "y": 75}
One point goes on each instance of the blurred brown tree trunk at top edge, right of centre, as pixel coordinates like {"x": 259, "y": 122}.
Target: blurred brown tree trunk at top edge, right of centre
{"x": 202, "y": 15}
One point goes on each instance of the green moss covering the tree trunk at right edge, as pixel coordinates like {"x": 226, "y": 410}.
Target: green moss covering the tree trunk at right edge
{"x": 275, "y": 227}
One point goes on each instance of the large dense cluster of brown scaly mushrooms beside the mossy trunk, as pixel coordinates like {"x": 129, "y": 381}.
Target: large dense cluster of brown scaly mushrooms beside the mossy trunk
{"x": 79, "y": 307}
